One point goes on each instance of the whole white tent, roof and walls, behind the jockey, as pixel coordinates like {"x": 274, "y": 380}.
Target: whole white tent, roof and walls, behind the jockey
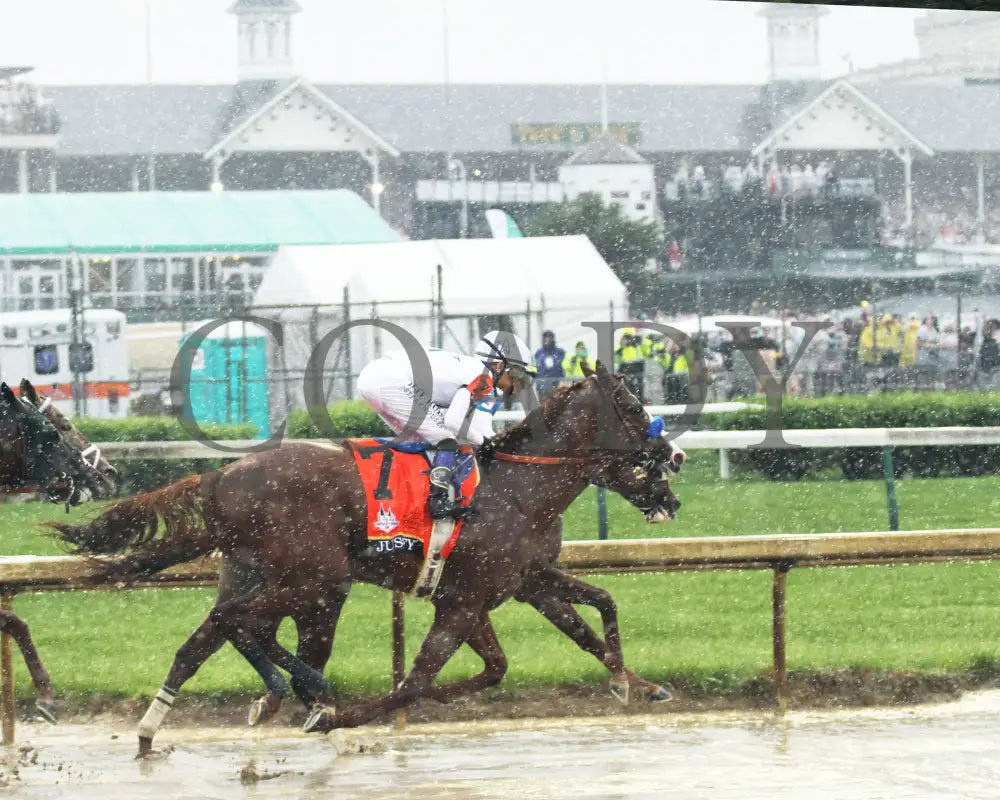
{"x": 440, "y": 291}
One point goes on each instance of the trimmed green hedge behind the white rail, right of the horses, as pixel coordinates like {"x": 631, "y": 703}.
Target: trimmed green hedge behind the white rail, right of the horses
{"x": 888, "y": 410}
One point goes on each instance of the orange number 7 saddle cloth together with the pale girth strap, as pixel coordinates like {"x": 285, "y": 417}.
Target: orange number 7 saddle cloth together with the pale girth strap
{"x": 396, "y": 480}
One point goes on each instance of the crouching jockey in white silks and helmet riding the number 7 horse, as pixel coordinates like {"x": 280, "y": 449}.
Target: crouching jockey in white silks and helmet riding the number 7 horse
{"x": 456, "y": 405}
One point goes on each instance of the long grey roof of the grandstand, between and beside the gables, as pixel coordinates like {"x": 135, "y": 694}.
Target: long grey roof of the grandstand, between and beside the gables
{"x": 420, "y": 118}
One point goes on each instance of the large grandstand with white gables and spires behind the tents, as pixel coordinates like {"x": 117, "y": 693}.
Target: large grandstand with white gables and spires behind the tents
{"x": 429, "y": 158}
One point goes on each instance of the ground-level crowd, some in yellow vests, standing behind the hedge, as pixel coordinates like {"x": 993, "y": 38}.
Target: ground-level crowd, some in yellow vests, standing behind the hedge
{"x": 859, "y": 354}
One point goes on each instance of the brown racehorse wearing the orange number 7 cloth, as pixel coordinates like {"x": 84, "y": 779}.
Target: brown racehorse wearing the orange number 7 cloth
{"x": 297, "y": 513}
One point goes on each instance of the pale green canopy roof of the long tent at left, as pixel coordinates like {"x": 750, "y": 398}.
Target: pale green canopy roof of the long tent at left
{"x": 172, "y": 222}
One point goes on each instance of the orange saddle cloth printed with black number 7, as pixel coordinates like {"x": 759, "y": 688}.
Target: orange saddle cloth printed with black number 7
{"x": 396, "y": 486}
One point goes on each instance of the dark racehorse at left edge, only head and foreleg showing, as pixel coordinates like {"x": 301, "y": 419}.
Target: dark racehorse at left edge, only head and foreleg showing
{"x": 35, "y": 458}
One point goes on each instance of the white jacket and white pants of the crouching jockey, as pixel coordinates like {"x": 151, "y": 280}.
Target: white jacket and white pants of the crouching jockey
{"x": 387, "y": 385}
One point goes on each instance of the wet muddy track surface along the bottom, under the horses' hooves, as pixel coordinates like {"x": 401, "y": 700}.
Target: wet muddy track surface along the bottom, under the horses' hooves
{"x": 943, "y": 751}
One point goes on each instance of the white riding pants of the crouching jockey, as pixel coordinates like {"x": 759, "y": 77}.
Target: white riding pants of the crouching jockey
{"x": 394, "y": 400}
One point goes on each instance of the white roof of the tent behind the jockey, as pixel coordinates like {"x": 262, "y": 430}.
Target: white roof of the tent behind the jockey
{"x": 478, "y": 276}
